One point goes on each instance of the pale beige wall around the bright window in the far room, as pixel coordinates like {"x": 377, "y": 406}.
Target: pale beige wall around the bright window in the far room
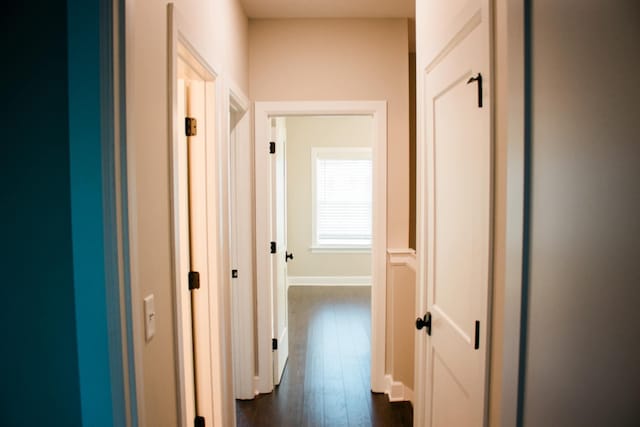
{"x": 303, "y": 133}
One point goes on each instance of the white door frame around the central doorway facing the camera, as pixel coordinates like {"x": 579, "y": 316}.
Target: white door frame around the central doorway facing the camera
{"x": 263, "y": 111}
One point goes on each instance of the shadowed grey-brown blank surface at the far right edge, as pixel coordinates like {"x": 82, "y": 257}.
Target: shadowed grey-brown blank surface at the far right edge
{"x": 582, "y": 332}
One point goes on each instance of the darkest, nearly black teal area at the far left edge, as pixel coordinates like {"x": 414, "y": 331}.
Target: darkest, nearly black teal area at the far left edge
{"x": 39, "y": 383}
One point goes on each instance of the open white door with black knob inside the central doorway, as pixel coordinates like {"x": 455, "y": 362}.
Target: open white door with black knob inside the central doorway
{"x": 279, "y": 233}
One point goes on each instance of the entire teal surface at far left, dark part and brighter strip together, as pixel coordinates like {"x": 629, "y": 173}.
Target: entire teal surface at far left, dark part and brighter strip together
{"x": 60, "y": 357}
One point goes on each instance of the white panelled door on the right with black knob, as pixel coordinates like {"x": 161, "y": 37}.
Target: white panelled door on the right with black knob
{"x": 457, "y": 115}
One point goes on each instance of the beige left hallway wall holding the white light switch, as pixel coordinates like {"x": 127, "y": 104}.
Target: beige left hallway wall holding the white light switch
{"x": 218, "y": 29}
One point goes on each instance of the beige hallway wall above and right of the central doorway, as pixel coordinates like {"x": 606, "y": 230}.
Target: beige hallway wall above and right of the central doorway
{"x": 342, "y": 59}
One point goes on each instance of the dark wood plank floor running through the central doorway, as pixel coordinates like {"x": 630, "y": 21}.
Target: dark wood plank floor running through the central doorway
{"x": 326, "y": 380}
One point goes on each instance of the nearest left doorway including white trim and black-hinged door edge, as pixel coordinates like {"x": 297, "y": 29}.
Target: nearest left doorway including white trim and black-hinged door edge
{"x": 192, "y": 99}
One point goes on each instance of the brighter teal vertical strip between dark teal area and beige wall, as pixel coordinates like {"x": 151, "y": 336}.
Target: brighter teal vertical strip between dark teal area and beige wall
{"x": 90, "y": 144}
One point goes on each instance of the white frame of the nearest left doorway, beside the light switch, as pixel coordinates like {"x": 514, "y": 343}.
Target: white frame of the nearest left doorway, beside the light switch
{"x": 179, "y": 45}
